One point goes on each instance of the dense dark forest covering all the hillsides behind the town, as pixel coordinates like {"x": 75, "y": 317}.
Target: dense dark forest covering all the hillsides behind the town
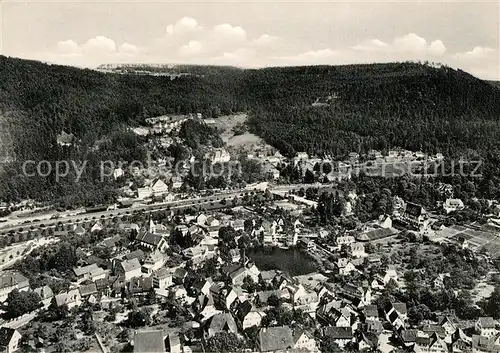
{"x": 410, "y": 105}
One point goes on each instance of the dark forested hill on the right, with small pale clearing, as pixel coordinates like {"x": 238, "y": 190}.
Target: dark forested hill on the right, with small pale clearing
{"x": 374, "y": 106}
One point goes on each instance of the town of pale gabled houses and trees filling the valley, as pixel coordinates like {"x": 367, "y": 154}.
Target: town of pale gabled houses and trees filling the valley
{"x": 282, "y": 254}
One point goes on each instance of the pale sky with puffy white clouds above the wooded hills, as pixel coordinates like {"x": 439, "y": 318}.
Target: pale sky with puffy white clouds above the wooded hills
{"x": 254, "y": 33}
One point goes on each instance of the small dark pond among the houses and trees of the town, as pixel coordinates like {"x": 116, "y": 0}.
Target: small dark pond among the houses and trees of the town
{"x": 291, "y": 261}
